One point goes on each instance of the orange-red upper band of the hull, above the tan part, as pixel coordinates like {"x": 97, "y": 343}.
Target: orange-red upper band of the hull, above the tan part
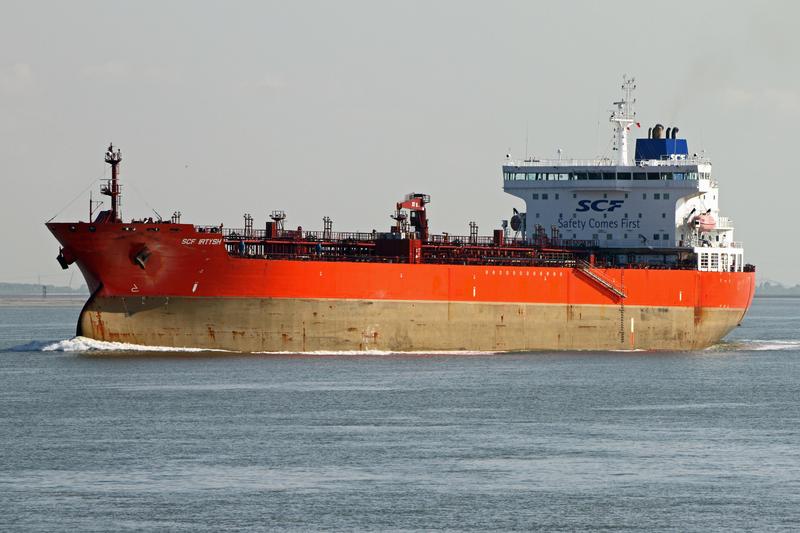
{"x": 186, "y": 263}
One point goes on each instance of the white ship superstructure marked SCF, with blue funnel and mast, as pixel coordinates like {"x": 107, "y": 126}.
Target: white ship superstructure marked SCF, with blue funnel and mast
{"x": 666, "y": 200}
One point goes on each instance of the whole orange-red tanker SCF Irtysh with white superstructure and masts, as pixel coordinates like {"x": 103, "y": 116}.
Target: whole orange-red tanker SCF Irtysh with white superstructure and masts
{"x": 608, "y": 254}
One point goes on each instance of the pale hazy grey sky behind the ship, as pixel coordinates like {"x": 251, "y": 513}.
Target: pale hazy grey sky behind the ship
{"x": 340, "y": 108}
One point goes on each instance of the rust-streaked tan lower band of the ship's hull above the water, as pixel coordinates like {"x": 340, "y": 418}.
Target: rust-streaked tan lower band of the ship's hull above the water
{"x": 300, "y": 325}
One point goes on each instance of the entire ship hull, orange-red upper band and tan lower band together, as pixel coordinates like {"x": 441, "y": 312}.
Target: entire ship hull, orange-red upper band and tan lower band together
{"x": 191, "y": 292}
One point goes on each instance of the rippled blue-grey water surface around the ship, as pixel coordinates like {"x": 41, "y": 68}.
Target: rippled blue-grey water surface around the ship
{"x": 99, "y": 440}
